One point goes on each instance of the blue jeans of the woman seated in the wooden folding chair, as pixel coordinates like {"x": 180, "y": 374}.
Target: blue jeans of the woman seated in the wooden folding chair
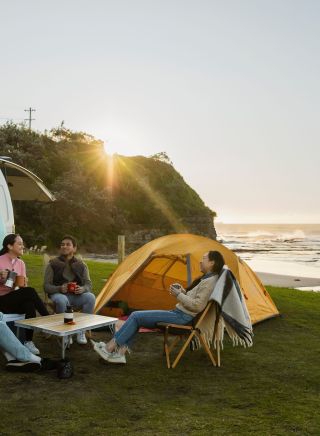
{"x": 148, "y": 319}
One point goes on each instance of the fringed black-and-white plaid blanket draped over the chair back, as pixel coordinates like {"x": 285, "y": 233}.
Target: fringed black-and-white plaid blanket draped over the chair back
{"x": 229, "y": 313}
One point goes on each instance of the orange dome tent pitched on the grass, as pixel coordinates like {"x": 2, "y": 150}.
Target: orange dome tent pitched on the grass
{"x": 142, "y": 280}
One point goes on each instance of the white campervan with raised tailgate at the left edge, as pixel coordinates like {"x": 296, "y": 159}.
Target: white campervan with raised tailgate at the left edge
{"x": 17, "y": 183}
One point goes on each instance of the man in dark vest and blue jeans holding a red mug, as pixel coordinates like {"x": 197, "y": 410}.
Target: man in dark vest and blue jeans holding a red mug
{"x": 67, "y": 281}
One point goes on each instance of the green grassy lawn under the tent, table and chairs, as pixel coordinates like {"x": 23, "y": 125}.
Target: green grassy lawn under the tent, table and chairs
{"x": 270, "y": 389}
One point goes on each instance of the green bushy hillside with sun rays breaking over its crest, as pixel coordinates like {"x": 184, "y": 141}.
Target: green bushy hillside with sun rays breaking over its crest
{"x": 100, "y": 196}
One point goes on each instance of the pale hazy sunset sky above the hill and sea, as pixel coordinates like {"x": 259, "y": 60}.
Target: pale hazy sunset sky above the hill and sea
{"x": 229, "y": 89}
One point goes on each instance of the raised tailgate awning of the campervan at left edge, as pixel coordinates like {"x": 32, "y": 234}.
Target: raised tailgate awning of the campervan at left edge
{"x": 23, "y": 184}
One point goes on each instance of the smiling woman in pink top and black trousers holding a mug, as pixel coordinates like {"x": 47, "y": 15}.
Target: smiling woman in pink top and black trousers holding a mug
{"x": 18, "y": 300}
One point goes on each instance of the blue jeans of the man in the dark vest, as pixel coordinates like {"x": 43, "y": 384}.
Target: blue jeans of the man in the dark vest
{"x": 85, "y": 301}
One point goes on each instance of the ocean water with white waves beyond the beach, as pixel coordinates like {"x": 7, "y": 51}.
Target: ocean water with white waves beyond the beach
{"x": 289, "y": 249}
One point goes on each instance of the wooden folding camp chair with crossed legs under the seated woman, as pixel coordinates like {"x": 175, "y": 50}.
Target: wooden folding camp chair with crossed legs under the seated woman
{"x": 190, "y": 331}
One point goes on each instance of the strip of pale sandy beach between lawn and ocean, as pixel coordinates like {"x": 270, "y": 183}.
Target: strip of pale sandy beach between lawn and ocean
{"x": 287, "y": 281}
